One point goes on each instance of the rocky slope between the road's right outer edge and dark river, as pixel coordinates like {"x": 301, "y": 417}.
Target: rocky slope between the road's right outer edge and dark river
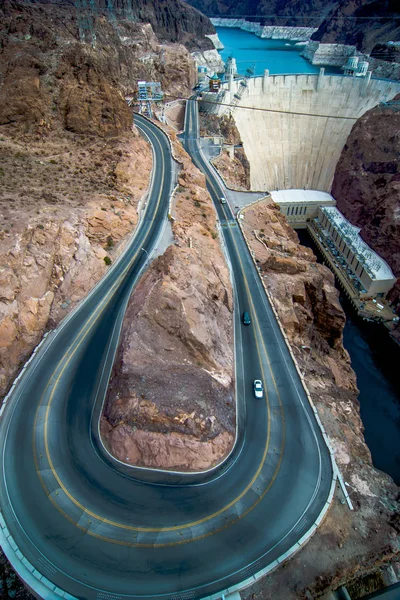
{"x": 347, "y": 544}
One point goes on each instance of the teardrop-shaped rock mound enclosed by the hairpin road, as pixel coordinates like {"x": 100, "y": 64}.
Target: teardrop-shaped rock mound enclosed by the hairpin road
{"x": 171, "y": 397}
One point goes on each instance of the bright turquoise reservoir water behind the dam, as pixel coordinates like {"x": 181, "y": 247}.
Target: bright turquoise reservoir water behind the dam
{"x": 279, "y": 56}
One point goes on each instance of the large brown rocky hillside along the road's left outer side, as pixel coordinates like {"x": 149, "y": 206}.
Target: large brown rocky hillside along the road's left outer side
{"x": 72, "y": 170}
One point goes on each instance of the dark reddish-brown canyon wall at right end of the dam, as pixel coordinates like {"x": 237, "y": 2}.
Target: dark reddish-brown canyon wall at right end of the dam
{"x": 367, "y": 182}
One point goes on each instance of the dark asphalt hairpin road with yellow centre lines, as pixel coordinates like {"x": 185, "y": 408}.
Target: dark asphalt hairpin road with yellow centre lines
{"x": 76, "y": 523}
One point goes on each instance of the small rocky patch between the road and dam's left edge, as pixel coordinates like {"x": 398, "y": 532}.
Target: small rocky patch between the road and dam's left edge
{"x": 235, "y": 170}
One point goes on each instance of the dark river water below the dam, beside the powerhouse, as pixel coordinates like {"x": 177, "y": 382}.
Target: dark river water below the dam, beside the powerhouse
{"x": 375, "y": 358}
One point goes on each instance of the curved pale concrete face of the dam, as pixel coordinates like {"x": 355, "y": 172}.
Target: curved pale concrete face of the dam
{"x": 298, "y": 151}
